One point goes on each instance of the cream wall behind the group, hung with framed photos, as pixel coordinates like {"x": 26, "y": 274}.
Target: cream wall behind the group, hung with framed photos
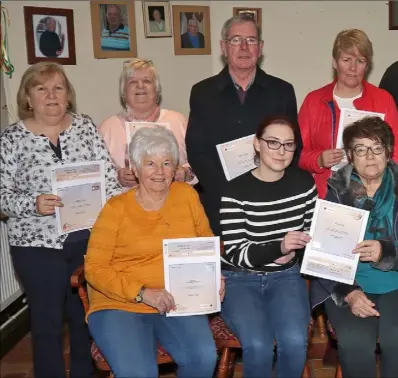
{"x": 298, "y": 38}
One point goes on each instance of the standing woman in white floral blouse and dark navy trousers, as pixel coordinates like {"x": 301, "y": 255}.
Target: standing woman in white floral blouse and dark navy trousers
{"x": 49, "y": 132}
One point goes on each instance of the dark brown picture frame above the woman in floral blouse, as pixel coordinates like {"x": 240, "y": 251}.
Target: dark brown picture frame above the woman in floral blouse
{"x": 50, "y": 35}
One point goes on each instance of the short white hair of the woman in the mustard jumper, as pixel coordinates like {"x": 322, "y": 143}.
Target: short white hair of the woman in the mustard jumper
{"x": 153, "y": 141}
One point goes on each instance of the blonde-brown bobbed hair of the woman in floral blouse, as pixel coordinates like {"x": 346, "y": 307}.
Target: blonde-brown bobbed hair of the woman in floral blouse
{"x": 38, "y": 74}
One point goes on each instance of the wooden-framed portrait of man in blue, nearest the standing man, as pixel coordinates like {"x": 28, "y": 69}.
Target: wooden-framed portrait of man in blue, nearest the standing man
{"x": 196, "y": 40}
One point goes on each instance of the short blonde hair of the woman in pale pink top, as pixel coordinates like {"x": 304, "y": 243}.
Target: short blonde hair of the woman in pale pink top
{"x": 129, "y": 69}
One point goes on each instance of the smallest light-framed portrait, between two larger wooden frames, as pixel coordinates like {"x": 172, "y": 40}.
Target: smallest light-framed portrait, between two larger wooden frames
{"x": 157, "y": 19}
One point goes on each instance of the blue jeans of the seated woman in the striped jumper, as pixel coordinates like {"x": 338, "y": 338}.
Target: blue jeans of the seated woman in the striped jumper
{"x": 261, "y": 308}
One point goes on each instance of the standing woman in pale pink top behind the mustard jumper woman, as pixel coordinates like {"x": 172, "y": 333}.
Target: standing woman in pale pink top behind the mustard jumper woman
{"x": 140, "y": 93}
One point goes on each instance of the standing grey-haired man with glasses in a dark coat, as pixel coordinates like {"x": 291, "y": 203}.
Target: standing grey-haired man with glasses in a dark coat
{"x": 231, "y": 105}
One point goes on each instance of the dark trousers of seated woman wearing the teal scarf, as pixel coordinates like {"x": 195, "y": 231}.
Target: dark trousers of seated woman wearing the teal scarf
{"x": 357, "y": 337}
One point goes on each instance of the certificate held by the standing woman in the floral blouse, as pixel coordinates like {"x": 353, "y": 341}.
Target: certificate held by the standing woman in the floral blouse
{"x": 81, "y": 187}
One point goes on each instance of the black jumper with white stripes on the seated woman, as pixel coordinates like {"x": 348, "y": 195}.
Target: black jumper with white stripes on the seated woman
{"x": 256, "y": 215}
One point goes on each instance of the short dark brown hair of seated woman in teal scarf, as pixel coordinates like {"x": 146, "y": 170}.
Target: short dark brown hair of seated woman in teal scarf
{"x": 373, "y": 128}
